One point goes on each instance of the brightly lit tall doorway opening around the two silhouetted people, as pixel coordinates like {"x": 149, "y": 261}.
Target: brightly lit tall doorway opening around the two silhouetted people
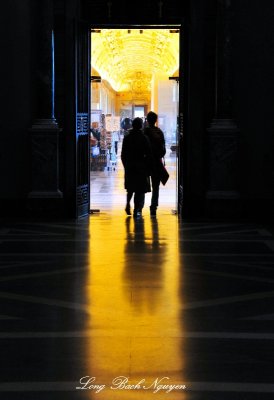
{"x": 133, "y": 71}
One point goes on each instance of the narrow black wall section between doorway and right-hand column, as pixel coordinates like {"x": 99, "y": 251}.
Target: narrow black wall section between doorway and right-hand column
{"x": 199, "y": 76}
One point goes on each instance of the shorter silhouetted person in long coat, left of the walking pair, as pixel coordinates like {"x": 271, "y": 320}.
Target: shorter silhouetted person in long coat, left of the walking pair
{"x": 136, "y": 157}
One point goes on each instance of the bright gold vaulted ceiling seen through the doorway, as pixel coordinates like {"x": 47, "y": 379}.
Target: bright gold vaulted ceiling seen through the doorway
{"x": 130, "y": 59}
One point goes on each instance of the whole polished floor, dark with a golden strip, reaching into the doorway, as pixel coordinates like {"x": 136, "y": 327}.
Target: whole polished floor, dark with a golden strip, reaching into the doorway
{"x": 110, "y": 308}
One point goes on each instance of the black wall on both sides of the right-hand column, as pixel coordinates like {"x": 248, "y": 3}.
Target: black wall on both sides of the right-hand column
{"x": 252, "y": 27}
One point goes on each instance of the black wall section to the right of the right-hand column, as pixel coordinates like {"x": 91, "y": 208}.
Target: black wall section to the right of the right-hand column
{"x": 253, "y": 93}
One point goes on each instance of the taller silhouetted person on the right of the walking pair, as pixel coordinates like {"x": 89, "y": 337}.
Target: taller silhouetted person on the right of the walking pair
{"x": 158, "y": 146}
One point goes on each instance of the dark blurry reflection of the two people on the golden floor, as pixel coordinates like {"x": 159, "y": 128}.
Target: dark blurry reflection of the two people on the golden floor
{"x": 144, "y": 279}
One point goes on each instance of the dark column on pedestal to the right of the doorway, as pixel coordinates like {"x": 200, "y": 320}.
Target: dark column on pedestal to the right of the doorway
{"x": 222, "y": 197}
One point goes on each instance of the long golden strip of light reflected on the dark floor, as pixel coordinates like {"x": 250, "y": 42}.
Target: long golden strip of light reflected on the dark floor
{"x": 133, "y": 292}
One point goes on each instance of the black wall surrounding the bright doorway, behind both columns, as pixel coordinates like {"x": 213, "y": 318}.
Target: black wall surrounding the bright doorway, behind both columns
{"x": 253, "y": 88}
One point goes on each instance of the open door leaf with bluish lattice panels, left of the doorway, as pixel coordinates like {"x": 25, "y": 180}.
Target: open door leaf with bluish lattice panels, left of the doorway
{"x": 82, "y": 118}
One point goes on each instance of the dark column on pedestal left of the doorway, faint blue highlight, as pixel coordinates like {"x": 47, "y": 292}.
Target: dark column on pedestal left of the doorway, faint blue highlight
{"x": 44, "y": 133}
